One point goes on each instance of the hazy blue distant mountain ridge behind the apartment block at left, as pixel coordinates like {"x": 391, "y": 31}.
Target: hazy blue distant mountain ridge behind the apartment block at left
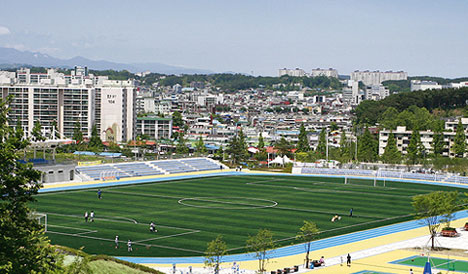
{"x": 14, "y": 58}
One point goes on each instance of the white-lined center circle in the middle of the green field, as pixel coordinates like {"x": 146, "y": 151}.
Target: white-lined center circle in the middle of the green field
{"x": 227, "y": 202}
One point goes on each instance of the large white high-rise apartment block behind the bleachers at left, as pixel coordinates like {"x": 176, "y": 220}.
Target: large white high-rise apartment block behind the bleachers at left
{"x": 55, "y": 98}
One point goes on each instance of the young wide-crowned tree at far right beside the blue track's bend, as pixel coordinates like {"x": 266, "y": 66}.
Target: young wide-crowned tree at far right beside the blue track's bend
{"x": 433, "y": 208}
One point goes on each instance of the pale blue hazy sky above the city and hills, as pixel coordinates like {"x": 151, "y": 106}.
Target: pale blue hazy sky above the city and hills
{"x": 422, "y": 37}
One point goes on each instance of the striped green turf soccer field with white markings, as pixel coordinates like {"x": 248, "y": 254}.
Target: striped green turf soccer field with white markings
{"x": 190, "y": 213}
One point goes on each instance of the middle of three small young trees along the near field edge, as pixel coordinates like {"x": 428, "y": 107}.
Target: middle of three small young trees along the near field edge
{"x": 261, "y": 244}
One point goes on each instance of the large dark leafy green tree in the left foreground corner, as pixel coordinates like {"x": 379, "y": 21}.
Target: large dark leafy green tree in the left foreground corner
{"x": 23, "y": 246}
